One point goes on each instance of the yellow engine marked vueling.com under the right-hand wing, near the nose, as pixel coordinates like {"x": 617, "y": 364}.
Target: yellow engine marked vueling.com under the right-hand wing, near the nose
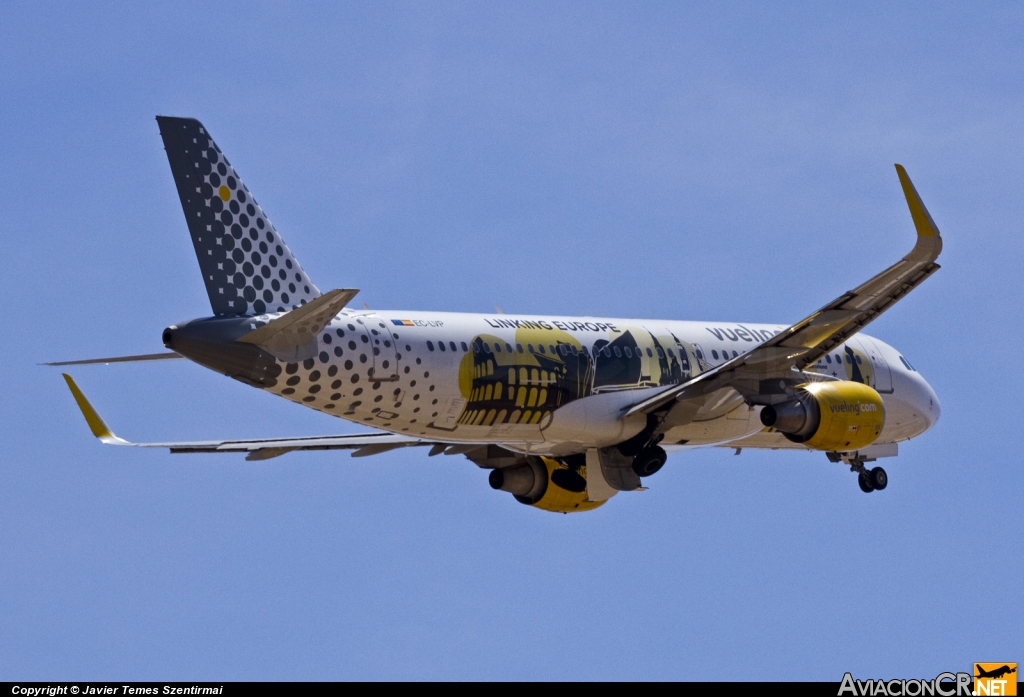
{"x": 830, "y": 416}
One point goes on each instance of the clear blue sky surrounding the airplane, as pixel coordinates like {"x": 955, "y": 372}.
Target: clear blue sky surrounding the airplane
{"x": 666, "y": 160}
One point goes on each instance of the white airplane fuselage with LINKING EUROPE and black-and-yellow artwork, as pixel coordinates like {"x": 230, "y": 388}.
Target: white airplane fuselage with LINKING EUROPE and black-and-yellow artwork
{"x": 558, "y": 385}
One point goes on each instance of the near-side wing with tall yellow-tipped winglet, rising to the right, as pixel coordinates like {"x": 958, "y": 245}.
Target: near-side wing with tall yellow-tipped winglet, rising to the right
{"x": 805, "y": 343}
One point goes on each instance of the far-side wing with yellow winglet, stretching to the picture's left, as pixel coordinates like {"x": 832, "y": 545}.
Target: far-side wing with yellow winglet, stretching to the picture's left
{"x": 363, "y": 445}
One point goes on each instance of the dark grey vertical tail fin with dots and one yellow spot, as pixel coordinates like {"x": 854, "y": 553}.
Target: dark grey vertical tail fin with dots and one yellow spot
{"x": 247, "y": 268}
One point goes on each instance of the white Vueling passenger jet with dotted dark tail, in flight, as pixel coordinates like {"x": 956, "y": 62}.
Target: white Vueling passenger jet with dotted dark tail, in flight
{"x": 565, "y": 413}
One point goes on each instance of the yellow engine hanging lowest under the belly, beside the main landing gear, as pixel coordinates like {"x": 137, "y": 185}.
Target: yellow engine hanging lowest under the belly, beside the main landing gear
{"x": 547, "y": 484}
